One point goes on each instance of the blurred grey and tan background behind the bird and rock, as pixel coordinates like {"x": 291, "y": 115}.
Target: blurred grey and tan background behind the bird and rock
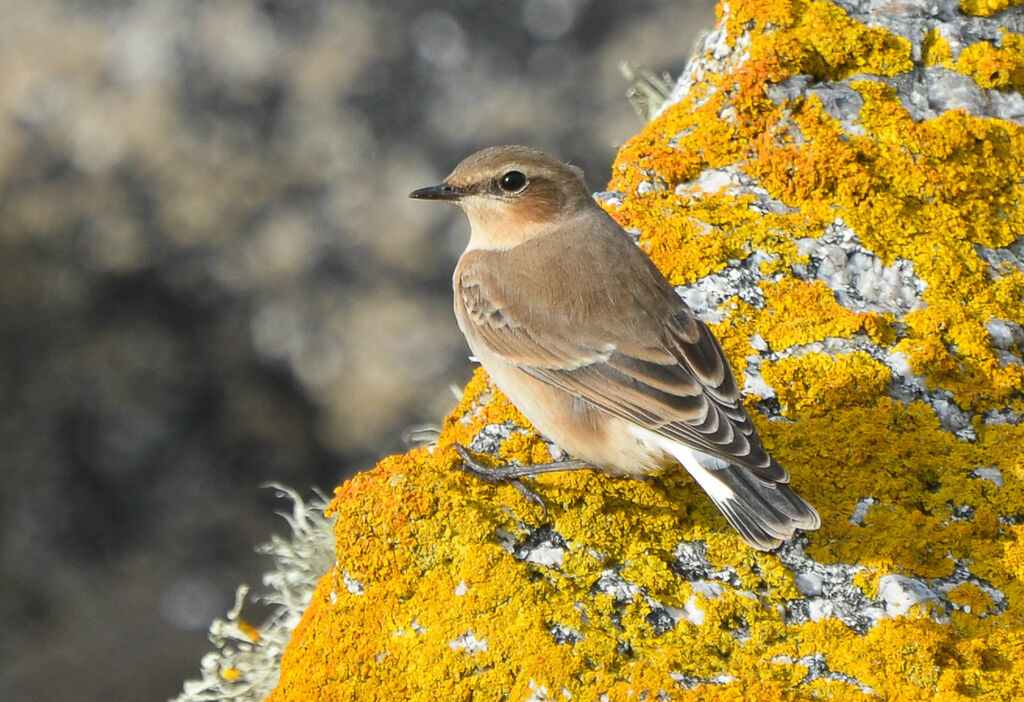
{"x": 211, "y": 278}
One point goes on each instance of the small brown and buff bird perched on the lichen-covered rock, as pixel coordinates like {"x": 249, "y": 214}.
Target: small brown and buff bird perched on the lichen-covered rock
{"x": 586, "y": 337}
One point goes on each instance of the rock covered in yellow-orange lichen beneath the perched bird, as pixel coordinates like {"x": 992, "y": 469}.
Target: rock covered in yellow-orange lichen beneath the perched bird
{"x": 838, "y": 189}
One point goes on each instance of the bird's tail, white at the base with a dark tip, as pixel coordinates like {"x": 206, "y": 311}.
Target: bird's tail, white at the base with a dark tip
{"x": 765, "y": 514}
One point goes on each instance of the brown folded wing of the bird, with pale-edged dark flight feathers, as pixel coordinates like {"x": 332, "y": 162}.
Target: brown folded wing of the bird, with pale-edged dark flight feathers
{"x": 668, "y": 375}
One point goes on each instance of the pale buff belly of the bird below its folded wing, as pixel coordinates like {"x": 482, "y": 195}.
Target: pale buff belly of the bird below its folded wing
{"x": 577, "y": 426}
